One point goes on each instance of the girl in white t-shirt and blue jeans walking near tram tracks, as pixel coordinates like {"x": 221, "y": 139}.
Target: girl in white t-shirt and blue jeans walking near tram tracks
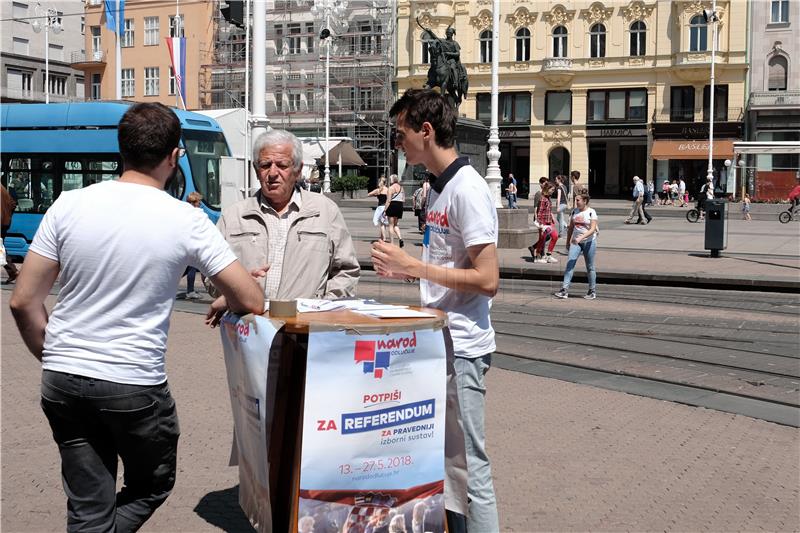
{"x": 582, "y": 236}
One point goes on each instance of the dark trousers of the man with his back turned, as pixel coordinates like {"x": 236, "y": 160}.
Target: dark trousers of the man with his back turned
{"x": 93, "y": 422}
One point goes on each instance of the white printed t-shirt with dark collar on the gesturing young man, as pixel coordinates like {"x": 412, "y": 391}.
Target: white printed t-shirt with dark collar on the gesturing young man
{"x": 462, "y": 215}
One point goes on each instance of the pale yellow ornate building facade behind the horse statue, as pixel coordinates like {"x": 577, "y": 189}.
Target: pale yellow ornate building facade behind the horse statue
{"x": 612, "y": 89}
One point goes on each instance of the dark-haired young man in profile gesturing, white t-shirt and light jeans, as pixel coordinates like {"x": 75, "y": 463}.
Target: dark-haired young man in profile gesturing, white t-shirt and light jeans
{"x": 458, "y": 272}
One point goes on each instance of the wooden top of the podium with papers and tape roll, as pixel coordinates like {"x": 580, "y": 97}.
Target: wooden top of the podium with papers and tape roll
{"x": 346, "y": 319}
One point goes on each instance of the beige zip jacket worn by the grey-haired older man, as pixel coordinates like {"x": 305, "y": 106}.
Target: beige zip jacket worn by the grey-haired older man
{"x": 319, "y": 261}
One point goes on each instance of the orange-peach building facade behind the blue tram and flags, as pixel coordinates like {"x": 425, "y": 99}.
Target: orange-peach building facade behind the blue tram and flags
{"x": 146, "y": 68}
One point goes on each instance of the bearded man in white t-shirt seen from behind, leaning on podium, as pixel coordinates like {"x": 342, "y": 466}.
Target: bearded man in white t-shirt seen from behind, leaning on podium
{"x": 120, "y": 248}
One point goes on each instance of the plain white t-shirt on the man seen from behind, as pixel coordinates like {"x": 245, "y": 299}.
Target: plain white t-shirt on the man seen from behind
{"x": 122, "y": 249}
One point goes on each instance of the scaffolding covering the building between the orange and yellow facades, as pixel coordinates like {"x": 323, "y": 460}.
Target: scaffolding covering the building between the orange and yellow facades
{"x": 361, "y": 75}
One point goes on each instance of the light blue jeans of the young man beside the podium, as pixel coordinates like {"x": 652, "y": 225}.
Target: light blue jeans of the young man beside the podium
{"x": 470, "y": 374}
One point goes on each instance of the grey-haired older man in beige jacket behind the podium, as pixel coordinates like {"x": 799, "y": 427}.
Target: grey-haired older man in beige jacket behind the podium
{"x": 294, "y": 241}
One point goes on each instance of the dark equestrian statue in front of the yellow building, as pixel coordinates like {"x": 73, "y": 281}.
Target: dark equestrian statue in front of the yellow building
{"x": 446, "y": 70}
